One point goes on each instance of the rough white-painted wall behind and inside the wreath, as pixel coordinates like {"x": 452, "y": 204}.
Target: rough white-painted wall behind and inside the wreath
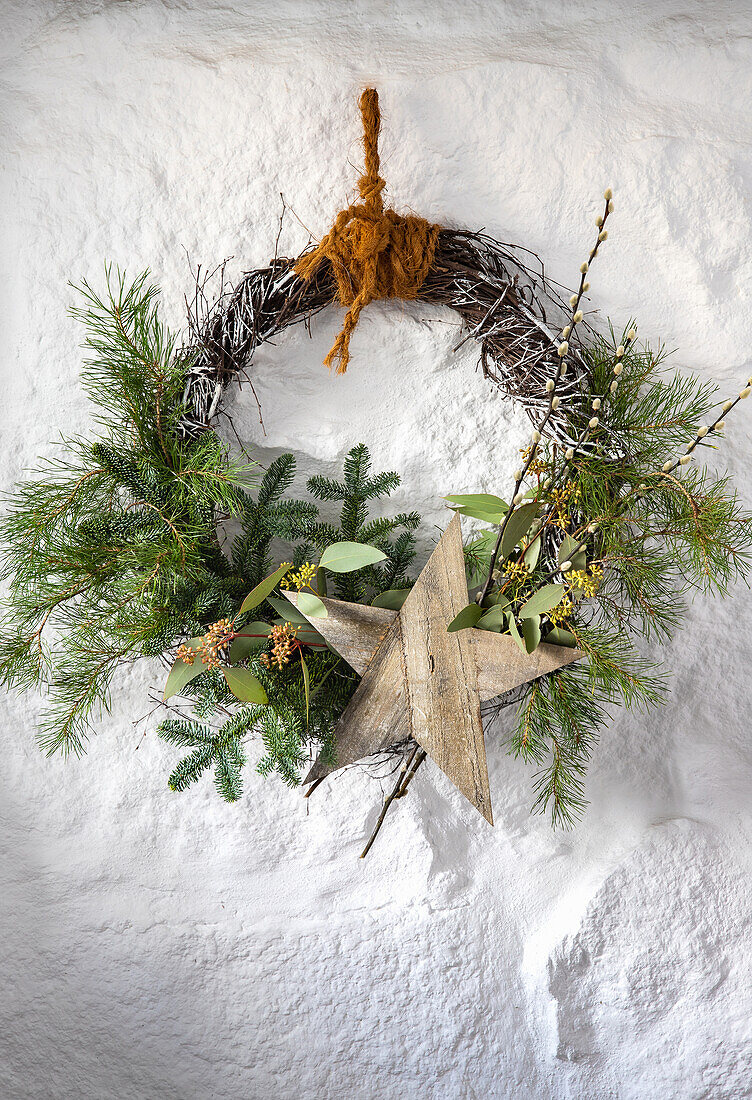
{"x": 171, "y": 947}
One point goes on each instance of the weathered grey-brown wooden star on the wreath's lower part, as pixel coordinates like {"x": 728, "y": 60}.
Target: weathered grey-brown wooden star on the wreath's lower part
{"x": 421, "y": 681}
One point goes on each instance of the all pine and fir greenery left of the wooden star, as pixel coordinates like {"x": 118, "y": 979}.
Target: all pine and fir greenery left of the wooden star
{"x": 112, "y": 553}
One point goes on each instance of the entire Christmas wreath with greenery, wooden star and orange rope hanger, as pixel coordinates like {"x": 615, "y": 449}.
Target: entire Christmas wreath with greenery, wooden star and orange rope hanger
{"x": 152, "y": 540}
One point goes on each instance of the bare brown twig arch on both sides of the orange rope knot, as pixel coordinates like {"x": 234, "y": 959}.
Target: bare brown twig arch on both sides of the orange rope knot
{"x": 506, "y": 306}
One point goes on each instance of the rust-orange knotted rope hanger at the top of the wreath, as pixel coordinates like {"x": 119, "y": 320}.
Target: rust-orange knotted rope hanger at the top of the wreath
{"x": 374, "y": 254}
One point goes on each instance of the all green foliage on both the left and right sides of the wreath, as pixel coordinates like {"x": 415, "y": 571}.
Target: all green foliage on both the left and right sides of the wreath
{"x": 112, "y": 553}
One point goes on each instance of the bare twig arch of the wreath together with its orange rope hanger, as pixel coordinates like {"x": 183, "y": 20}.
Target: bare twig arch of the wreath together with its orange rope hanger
{"x": 372, "y": 254}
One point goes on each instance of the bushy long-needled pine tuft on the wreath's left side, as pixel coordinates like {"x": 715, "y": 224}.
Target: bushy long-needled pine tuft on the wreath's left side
{"x": 112, "y": 549}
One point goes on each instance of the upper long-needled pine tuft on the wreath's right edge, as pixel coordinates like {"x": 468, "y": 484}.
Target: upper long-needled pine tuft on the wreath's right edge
{"x": 660, "y": 536}
